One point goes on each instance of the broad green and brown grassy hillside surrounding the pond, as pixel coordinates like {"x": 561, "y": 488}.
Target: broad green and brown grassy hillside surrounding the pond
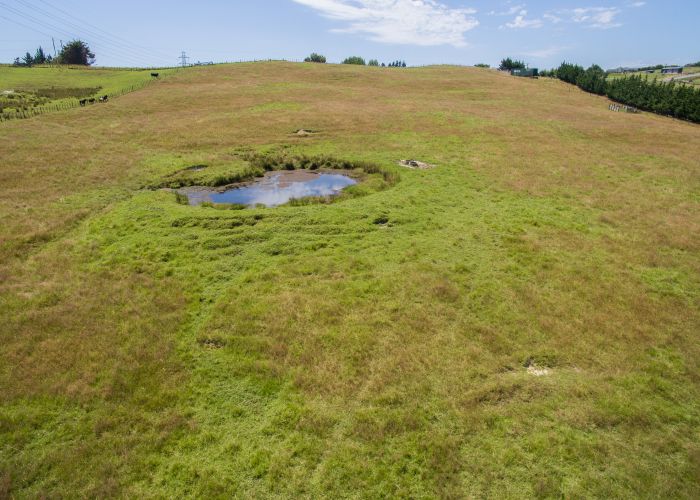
{"x": 521, "y": 321}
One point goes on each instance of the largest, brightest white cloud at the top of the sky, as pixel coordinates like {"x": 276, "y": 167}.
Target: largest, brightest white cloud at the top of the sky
{"x": 410, "y": 22}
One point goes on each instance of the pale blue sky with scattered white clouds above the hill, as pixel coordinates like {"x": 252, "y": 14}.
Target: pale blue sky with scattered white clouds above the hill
{"x": 543, "y": 33}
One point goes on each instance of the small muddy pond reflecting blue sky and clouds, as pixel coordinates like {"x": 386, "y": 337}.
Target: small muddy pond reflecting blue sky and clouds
{"x": 274, "y": 189}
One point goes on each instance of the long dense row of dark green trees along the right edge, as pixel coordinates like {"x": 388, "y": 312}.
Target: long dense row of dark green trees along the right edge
{"x": 672, "y": 99}
